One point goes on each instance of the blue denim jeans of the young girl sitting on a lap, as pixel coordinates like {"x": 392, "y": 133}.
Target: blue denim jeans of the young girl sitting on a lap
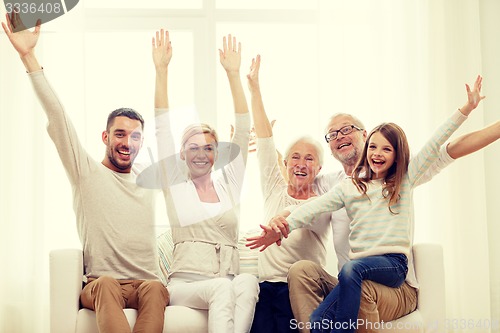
{"x": 339, "y": 310}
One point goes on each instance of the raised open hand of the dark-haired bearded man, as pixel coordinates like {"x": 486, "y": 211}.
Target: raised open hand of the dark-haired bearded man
{"x": 24, "y": 41}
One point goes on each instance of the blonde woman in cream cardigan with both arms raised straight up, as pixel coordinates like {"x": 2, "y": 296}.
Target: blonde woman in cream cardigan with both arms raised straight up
{"x": 203, "y": 207}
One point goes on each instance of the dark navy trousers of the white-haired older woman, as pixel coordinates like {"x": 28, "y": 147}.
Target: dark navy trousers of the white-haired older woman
{"x": 273, "y": 311}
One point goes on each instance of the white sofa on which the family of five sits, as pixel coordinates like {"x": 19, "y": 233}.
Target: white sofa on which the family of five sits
{"x": 66, "y": 270}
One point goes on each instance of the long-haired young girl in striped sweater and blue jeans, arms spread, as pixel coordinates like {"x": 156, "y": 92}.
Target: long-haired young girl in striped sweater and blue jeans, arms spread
{"x": 378, "y": 199}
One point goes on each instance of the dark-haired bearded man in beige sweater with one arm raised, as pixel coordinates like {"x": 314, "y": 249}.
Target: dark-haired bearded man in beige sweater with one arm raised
{"x": 115, "y": 217}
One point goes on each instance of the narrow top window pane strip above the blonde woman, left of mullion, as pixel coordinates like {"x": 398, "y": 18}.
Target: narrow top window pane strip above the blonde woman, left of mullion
{"x": 123, "y": 4}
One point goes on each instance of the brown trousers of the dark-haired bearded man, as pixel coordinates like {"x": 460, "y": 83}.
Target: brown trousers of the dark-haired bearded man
{"x": 108, "y": 297}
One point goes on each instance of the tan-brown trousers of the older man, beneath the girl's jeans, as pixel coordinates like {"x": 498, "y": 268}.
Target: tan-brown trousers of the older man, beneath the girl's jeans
{"x": 309, "y": 284}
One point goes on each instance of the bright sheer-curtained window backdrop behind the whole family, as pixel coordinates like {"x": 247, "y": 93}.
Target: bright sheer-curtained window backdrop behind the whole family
{"x": 382, "y": 60}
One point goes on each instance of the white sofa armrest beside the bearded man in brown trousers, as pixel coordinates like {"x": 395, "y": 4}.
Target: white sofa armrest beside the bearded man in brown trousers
{"x": 66, "y": 272}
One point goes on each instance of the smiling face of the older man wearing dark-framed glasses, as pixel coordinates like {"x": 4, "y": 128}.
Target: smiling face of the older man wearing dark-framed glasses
{"x": 346, "y": 148}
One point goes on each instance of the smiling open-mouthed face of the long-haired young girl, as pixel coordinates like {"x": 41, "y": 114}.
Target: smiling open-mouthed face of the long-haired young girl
{"x": 380, "y": 155}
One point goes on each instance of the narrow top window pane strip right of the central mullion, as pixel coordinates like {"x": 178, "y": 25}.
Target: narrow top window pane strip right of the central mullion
{"x": 266, "y": 4}
